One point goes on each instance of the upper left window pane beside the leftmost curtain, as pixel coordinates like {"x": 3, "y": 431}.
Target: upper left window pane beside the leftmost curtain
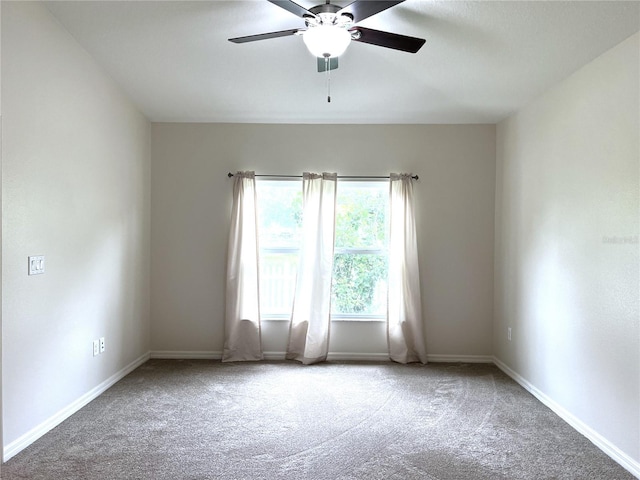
{"x": 279, "y": 213}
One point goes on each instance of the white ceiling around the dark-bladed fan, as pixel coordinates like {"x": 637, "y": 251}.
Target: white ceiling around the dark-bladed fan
{"x": 482, "y": 60}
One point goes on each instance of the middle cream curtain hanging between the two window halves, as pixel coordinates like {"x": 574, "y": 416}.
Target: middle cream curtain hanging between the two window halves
{"x": 310, "y": 320}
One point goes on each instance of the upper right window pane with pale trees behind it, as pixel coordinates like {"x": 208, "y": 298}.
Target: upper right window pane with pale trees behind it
{"x": 361, "y": 215}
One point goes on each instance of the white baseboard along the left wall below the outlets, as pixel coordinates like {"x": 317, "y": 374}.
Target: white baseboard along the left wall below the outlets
{"x": 35, "y": 433}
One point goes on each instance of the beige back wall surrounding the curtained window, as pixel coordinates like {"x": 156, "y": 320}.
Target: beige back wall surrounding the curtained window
{"x": 190, "y": 219}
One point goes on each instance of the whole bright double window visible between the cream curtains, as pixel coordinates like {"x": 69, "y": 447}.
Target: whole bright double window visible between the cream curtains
{"x": 359, "y": 286}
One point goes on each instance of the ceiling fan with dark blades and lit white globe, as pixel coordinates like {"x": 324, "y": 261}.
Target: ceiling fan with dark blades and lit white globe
{"x": 329, "y": 29}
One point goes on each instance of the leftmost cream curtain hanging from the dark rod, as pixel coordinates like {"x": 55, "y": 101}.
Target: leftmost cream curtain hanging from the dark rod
{"x": 242, "y": 310}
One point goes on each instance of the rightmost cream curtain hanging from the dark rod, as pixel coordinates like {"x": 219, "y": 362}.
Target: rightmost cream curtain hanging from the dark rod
{"x": 405, "y": 334}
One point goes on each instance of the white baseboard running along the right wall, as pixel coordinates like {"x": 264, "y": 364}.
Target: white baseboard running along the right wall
{"x": 598, "y": 440}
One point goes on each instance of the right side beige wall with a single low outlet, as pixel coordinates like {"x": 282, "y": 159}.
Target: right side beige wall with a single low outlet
{"x": 567, "y": 253}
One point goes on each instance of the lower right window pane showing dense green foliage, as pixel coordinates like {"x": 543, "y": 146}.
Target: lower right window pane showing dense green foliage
{"x": 359, "y": 284}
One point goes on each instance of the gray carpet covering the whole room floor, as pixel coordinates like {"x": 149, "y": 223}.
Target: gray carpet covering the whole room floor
{"x": 277, "y": 420}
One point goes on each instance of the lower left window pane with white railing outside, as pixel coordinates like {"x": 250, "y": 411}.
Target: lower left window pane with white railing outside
{"x": 277, "y": 282}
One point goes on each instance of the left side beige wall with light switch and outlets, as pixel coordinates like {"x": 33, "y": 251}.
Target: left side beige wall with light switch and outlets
{"x": 75, "y": 188}
